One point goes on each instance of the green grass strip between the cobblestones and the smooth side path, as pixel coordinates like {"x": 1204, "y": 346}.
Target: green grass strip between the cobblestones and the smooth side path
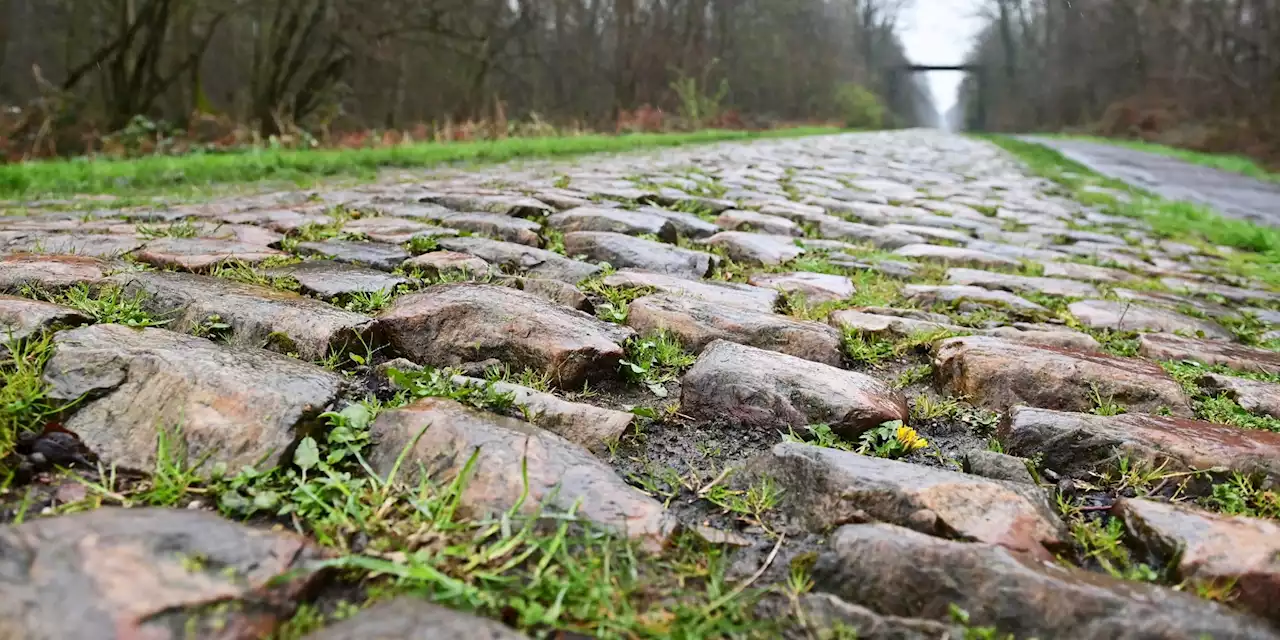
{"x": 1259, "y": 246}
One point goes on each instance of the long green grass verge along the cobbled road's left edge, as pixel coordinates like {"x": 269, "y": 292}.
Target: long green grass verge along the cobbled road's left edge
{"x": 54, "y": 179}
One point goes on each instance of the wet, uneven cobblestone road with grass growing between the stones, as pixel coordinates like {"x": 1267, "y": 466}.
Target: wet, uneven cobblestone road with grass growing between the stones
{"x": 851, "y": 383}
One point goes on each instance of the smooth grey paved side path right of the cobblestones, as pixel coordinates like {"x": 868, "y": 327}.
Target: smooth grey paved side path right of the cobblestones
{"x": 1231, "y": 194}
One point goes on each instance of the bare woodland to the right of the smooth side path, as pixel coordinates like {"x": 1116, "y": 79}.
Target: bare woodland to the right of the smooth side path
{"x": 1199, "y": 74}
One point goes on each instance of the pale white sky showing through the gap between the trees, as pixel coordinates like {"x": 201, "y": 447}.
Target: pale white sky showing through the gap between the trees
{"x": 941, "y": 33}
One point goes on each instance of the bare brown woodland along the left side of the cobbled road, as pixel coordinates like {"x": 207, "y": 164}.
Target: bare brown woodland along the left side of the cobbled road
{"x": 80, "y": 66}
